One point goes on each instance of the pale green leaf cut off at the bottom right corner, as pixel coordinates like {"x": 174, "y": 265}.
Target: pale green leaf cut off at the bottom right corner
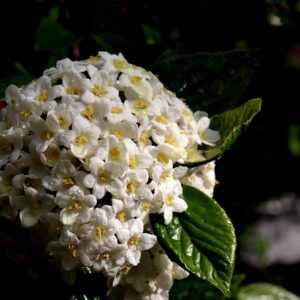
{"x": 265, "y": 291}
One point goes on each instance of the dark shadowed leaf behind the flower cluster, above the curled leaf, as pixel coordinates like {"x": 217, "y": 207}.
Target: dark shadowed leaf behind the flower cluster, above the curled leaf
{"x": 212, "y": 82}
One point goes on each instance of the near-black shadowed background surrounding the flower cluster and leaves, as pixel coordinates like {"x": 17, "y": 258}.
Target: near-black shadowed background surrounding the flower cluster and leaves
{"x": 264, "y": 163}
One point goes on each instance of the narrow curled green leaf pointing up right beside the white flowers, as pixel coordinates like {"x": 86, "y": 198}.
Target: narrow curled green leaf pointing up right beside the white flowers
{"x": 230, "y": 124}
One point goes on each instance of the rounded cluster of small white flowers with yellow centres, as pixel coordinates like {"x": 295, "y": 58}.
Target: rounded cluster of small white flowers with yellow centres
{"x": 88, "y": 150}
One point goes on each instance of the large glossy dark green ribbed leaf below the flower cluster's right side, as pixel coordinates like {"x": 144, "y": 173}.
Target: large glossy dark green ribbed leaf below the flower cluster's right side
{"x": 201, "y": 239}
